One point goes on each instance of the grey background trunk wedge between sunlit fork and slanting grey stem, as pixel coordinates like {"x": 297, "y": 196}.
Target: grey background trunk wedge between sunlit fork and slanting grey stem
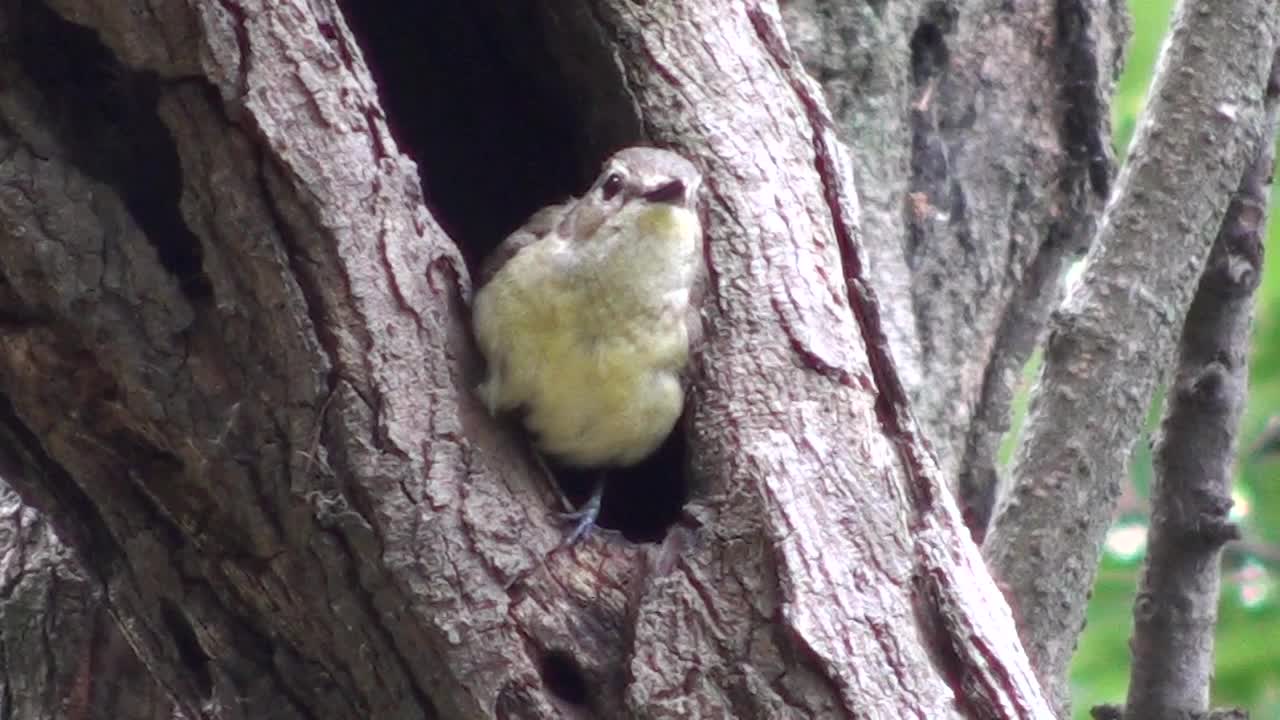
{"x": 981, "y": 142}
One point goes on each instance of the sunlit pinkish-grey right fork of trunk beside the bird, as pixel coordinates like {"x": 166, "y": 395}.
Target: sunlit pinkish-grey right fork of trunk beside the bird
{"x": 778, "y": 502}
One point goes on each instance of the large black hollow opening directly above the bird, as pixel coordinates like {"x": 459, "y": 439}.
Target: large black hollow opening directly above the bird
{"x": 474, "y": 94}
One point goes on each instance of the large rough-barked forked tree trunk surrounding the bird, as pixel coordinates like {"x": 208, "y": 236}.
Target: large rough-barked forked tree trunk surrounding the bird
{"x": 235, "y": 367}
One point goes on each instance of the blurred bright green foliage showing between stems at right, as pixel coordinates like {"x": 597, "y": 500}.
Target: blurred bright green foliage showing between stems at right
{"x": 1249, "y": 634}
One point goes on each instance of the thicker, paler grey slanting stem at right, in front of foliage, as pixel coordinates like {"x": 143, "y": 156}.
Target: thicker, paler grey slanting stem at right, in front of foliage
{"x": 1114, "y": 339}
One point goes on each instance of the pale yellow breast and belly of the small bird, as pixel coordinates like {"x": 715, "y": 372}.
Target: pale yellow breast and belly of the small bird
{"x": 592, "y": 347}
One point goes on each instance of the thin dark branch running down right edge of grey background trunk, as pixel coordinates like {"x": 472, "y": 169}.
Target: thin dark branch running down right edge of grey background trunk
{"x": 1086, "y": 61}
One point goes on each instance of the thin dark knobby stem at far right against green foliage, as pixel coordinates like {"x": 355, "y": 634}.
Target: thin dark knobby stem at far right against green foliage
{"x": 1176, "y": 613}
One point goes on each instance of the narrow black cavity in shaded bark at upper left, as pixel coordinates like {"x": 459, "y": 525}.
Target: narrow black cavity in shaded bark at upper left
{"x": 106, "y": 116}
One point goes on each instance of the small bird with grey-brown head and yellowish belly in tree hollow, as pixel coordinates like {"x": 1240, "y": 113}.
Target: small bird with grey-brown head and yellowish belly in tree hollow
{"x": 588, "y": 313}
